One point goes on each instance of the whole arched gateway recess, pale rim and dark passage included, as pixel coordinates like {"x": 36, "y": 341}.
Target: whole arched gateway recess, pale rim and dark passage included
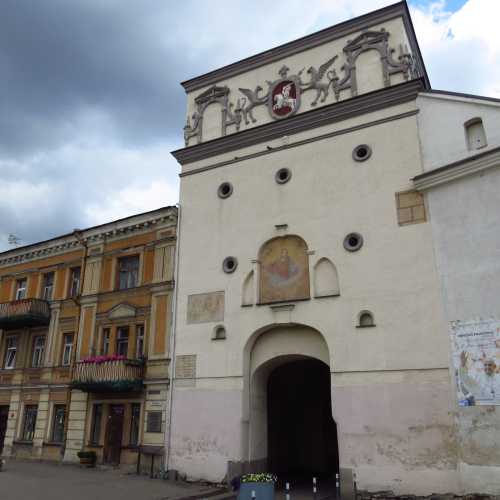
{"x": 292, "y": 431}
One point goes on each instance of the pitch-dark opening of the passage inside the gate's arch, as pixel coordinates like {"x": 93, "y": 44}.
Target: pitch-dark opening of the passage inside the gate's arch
{"x": 302, "y": 435}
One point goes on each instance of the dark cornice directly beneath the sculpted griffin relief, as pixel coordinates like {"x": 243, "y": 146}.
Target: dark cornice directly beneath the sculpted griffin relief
{"x": 336, "y": 112}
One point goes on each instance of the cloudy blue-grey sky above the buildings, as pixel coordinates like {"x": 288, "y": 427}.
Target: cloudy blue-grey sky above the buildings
{"x": 91, "y": 105}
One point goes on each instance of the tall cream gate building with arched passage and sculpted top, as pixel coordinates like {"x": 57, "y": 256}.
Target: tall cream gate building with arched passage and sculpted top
{"x": 310, "y": 327}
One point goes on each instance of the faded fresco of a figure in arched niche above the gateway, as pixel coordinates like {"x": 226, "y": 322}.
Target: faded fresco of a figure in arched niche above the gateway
{"x": 284, "y": 270}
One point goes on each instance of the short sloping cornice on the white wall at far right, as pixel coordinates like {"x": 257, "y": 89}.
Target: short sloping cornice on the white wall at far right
{"x": 458, "y": 169}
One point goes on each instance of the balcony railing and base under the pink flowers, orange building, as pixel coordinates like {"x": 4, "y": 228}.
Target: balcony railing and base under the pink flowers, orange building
{"x": 108, "y": 374}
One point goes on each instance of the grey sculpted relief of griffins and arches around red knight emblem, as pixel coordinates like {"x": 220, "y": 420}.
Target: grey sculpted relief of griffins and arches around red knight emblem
{"x": 283, "y": 95}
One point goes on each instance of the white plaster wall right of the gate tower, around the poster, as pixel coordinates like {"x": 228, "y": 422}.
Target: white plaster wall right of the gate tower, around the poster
{"x": 464, "y": 215}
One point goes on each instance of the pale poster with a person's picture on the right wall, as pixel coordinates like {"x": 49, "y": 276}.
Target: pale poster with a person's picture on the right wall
{"x": 476, "y": 360}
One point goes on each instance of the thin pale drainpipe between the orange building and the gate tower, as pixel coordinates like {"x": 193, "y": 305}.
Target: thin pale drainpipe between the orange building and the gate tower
{"x": 172, "y": 338}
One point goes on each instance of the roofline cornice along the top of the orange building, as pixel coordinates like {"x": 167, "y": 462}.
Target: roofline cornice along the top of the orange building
{"x": 91, "y": 236}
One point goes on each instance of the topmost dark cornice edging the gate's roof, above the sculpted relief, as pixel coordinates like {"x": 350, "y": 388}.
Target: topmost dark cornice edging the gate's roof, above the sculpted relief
{"x": 308, "y": 42}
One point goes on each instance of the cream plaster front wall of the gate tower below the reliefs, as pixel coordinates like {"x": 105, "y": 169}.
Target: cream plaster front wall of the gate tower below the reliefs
{"x": 393, "y": 275}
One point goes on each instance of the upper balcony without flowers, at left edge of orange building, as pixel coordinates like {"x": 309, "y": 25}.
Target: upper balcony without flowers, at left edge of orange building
{"x": 24, "y": 313}
